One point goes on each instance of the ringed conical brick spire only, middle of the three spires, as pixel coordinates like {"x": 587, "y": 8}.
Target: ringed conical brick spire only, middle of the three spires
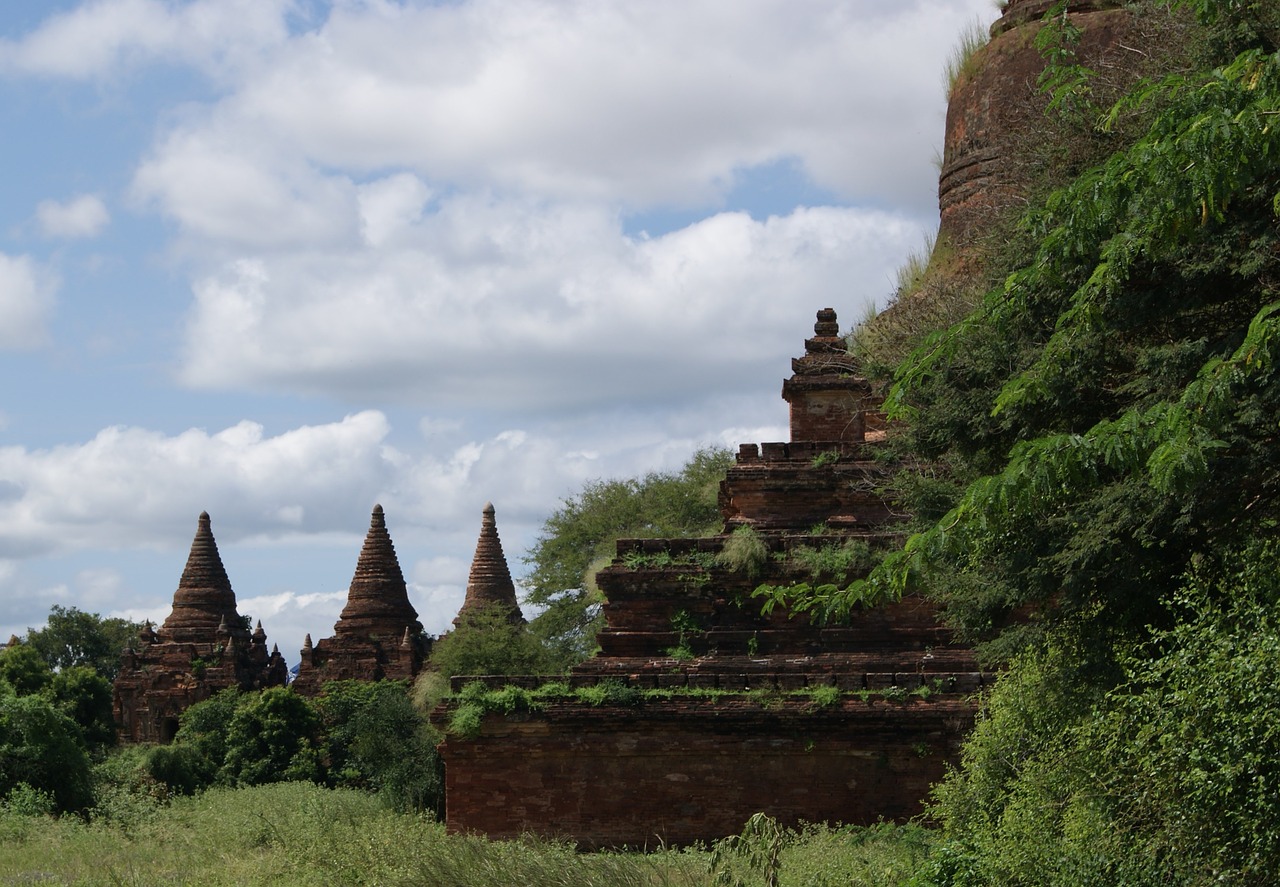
{"x": 378, "y": 601}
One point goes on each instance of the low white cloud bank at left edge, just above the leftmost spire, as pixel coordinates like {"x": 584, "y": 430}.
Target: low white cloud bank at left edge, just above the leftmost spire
{"x": 131, "y": 486}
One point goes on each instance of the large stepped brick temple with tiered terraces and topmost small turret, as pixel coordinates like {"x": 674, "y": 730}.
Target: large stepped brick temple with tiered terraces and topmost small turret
{"x": 687, "y": 766}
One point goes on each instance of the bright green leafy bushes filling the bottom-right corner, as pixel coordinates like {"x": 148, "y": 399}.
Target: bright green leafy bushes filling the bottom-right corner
{"x": 1167, "y": 779}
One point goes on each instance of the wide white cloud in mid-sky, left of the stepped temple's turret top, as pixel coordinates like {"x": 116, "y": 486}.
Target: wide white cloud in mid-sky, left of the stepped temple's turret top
{"x": 510, "y": 307}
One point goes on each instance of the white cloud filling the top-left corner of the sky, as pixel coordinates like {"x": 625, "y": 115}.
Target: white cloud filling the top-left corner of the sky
{"x": 99, "y": 39}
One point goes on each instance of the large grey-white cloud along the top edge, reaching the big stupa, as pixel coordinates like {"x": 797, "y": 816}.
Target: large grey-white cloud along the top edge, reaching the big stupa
{"x": 632, "y": 106}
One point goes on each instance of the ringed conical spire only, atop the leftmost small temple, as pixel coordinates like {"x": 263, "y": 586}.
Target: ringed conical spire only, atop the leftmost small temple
{"x": 204, "y": 601}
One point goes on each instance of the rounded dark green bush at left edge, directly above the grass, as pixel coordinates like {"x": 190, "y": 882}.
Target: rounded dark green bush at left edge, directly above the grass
{"x": 42, "y": 749}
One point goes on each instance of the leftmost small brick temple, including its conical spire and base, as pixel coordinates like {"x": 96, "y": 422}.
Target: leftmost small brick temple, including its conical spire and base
{"x": 203, "y": 648}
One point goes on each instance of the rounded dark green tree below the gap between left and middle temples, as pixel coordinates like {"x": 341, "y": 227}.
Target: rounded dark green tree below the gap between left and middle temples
{"x": 273, "y": 737}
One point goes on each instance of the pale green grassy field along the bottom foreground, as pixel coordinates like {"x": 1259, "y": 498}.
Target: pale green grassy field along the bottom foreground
{"x": 299, "y": 834}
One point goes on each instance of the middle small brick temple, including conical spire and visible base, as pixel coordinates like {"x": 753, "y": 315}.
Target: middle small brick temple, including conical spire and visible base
{"x": 378, "y": 634}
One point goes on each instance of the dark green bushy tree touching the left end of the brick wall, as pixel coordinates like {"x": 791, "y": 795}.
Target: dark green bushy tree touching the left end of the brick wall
{"x": 378, "y": 740}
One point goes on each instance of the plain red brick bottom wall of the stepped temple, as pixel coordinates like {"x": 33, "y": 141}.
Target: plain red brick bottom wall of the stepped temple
{"x": 697, "y": 770}
